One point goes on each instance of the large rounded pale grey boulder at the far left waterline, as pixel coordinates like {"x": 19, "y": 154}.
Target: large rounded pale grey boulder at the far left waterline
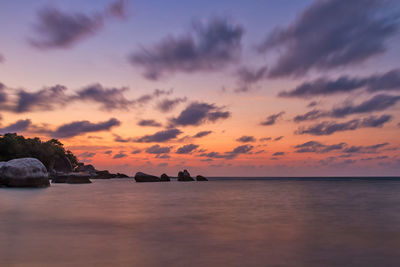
{"x": 24, "y": 172}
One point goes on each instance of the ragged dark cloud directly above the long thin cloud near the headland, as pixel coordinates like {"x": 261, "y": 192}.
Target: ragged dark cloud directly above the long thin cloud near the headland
{"x": 109, "y": 98}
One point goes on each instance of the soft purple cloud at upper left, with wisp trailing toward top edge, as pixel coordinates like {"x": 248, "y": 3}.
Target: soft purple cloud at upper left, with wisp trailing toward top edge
{"x": 57, "y": 29}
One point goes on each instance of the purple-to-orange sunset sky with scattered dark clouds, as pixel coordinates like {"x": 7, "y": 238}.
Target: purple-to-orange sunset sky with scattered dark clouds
{"x": 221, "y": 88}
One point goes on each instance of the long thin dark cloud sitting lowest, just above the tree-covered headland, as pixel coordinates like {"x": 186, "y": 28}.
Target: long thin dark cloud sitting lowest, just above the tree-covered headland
{"x": 81, "y": 127}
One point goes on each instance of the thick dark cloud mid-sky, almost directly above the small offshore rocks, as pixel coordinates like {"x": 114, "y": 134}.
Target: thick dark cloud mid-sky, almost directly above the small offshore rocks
{"x": 197, "y": 113}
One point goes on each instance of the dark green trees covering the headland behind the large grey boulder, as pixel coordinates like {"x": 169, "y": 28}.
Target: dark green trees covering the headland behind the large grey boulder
{"x": 14, "y": 146}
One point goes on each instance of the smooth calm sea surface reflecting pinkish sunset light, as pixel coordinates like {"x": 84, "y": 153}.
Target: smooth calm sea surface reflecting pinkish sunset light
{"x": 216, "y": 223}
